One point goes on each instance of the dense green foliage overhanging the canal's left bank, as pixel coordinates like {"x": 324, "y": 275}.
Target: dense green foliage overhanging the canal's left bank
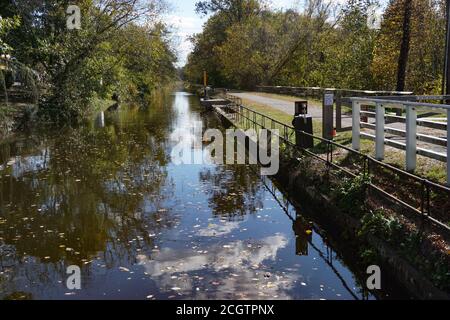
{"x": 122, "y": 47}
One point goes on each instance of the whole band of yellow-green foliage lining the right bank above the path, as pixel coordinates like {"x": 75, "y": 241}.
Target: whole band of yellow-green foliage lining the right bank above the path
{"x": 325, "y": 44}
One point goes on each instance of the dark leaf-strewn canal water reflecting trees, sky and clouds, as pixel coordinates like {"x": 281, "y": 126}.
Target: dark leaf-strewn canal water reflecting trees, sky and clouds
{"x": 107, "y": 197}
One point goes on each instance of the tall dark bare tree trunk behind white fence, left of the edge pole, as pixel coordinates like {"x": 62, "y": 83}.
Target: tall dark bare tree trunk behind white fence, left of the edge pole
{"x": 404, "y": 49}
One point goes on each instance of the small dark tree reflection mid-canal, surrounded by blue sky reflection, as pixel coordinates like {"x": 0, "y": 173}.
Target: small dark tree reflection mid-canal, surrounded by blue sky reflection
{"x": 233, "y": 193}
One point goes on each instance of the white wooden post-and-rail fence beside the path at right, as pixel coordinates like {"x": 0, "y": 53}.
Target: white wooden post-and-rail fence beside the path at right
{"x": 411, "y": 134}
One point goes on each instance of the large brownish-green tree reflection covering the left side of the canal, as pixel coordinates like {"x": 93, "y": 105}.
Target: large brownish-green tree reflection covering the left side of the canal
{"x": 91, "y": 197}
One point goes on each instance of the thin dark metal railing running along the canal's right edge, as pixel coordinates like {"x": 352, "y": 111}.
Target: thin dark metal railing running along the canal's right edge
{"x": 425, "y": 199}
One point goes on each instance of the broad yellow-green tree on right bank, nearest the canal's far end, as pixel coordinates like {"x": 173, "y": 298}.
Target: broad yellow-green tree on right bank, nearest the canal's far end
{"x": 257, "y": 49}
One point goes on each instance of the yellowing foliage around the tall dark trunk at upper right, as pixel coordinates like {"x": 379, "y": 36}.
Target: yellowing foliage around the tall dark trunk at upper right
{"x": 426, "y": 46}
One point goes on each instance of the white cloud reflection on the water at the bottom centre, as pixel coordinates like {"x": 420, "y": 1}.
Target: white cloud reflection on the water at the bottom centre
{"x": 239, "y": 263}
